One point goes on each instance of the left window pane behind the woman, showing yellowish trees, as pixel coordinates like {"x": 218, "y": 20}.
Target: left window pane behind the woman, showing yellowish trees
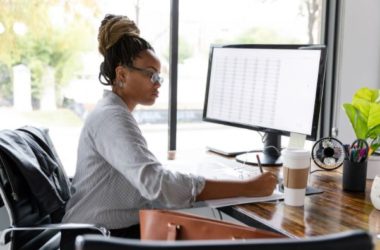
{"x": 49, "y": 66}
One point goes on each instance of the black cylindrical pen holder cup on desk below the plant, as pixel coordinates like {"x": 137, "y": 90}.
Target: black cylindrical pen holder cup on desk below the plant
{"x": 354, "y": 176}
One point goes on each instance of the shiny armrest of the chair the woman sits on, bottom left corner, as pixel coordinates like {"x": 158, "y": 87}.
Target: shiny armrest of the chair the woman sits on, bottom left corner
{"x": 55, "y": 226}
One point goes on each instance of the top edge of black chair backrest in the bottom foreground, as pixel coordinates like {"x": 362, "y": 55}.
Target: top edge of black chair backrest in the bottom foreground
{"x": 351, "y": 240}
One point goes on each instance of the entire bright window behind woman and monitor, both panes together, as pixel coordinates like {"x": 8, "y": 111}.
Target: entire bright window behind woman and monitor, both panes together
{"x": 49, "y": 62}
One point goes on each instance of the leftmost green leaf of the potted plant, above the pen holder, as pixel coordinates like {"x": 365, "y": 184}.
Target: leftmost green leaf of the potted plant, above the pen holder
{"x": 358, "y": 122}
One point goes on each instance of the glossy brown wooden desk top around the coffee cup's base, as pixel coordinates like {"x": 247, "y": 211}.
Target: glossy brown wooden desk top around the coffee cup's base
{"x": 330, "y": 212}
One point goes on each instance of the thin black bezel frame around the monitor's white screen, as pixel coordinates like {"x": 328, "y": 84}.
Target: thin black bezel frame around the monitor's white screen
{"x": 319, "y": 89}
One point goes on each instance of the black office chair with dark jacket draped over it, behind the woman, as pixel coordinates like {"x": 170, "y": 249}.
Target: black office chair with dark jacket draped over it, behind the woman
{"x": 32, "y": 225}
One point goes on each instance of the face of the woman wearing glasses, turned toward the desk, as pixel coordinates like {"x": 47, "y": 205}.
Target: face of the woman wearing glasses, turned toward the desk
{"x": 139, "y": 86}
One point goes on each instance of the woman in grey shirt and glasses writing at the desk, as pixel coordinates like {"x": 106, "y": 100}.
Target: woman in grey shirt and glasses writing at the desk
{"x": 116, "y": 174}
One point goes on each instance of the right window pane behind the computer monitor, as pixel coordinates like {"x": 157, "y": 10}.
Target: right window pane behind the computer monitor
{"x": 202, "y": 23}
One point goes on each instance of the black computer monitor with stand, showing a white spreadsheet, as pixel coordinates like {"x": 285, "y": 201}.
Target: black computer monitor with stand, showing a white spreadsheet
{"x": 276, "y": 89}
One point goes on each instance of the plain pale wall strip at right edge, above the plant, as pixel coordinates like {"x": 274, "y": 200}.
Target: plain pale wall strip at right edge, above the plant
{"x": 358, "y": 56}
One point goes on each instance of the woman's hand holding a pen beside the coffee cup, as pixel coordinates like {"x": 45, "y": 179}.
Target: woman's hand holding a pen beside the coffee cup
{"x": 261, "y": 185}
